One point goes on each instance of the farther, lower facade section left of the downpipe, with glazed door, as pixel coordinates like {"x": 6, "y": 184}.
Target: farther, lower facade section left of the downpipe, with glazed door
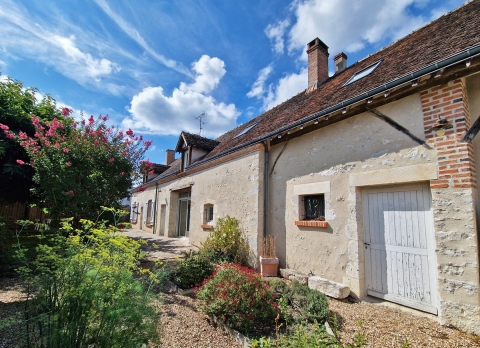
{"x": 233, "y": 187}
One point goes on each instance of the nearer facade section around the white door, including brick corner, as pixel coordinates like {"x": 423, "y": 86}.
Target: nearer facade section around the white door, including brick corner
{"x": 344, "y": 160}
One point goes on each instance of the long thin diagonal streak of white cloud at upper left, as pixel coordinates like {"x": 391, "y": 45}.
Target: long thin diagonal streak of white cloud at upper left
{"x": 135, "y": 35}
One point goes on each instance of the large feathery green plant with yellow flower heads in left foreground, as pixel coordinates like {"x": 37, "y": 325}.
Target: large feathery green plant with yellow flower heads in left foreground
{"x": 86, "y": 293}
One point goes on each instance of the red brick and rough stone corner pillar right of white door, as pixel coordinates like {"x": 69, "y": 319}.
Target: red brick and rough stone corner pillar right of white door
{"x": 454, "y": 200}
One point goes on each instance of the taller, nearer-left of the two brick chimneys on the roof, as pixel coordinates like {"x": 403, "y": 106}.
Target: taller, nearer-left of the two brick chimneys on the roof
{"x": 317, "y": 63}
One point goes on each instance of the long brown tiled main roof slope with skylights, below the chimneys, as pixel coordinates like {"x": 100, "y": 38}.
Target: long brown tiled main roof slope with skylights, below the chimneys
{"x": 442, "y": 38}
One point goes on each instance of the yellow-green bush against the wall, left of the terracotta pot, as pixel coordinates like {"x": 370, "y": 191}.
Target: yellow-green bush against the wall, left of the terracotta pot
{"x": 226, "y": 243}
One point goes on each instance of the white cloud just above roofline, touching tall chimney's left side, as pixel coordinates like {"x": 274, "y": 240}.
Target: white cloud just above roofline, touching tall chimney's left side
{"x": 286, "y": 88}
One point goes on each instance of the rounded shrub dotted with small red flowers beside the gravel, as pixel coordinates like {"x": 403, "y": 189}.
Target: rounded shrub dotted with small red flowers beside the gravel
{"x": 240, "y": 297}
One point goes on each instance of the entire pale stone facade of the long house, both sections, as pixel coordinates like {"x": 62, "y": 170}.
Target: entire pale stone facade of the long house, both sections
{"x": 343, "y": 162}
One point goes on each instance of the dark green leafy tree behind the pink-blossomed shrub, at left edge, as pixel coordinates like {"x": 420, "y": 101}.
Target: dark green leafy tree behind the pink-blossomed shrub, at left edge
{"x": 17, "y": 105}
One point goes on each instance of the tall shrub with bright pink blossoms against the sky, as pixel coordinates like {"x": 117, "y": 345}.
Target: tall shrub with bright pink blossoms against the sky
{"x": 81, "y": 167}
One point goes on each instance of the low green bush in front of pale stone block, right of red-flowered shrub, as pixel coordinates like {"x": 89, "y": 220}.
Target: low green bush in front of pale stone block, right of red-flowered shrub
{"x": 307, "y": 304}
